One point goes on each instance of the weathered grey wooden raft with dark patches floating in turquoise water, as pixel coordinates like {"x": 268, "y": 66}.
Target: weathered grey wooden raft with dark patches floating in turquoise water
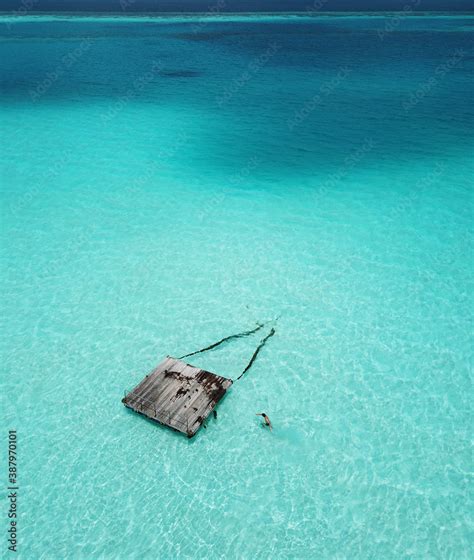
{"x": 178, "y": 395}
